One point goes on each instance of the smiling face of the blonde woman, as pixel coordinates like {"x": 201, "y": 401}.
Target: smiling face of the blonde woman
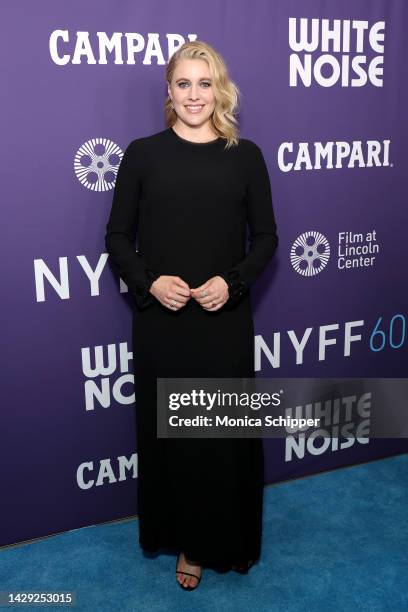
{"x": 192, "y": 92}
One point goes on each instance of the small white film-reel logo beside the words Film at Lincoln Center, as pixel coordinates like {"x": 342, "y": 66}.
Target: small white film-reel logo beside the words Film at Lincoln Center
{"x": 310, "y": 253}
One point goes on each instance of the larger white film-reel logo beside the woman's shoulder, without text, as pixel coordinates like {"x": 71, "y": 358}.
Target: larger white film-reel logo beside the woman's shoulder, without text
{"x": 96, "y": 164}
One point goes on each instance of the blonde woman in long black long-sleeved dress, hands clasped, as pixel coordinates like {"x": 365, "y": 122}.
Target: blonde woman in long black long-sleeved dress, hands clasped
{"x": 187, "y": 194}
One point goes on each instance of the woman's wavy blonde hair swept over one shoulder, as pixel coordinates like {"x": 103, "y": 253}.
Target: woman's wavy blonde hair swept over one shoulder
{"x": 226, "y": 92}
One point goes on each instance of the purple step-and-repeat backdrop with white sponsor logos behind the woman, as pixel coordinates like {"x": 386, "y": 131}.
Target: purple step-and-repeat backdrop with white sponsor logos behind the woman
{"x": 323, "y": 95}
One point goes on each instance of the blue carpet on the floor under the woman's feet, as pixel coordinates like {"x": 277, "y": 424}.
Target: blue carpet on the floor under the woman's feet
{"x": 334, "y": 541}
